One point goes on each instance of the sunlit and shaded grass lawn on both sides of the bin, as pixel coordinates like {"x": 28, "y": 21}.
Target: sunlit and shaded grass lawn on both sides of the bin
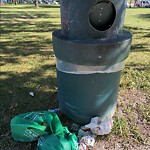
{"x": 28, "y": 64}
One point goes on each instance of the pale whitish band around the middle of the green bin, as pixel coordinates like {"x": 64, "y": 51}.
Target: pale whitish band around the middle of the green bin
{"x": 82, "y": 69}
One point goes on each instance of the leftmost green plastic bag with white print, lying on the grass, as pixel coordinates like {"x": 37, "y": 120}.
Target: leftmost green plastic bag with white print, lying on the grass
{"x": 29, "y": 126}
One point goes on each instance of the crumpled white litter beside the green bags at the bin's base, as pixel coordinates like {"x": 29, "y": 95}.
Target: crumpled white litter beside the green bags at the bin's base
{"x": 89, "y": 132}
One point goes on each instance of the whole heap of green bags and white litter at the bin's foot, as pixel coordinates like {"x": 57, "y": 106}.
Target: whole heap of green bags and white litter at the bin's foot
{"x": 46, "y": 128}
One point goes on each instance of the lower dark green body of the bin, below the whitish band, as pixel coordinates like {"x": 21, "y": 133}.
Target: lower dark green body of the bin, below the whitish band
{"x": 83, "y": 96}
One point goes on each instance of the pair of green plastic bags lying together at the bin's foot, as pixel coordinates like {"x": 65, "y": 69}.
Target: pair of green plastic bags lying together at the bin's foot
{"x": 46, "y": 128}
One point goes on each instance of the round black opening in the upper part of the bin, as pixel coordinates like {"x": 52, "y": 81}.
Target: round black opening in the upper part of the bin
{"x": 102, "y": 15}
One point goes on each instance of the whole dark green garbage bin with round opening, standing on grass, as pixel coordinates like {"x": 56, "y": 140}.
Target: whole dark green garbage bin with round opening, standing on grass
{"x": 90, "y": 51}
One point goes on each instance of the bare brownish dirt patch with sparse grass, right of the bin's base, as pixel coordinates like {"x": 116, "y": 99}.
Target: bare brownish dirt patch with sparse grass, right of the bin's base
{"x": 130, "y": 106}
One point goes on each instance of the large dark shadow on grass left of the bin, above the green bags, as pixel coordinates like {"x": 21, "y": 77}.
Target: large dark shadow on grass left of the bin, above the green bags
{"x": 15, "y": 98}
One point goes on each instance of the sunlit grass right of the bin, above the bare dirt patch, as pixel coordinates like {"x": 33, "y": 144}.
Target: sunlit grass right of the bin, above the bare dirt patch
{"x": 136, "y": 73}
